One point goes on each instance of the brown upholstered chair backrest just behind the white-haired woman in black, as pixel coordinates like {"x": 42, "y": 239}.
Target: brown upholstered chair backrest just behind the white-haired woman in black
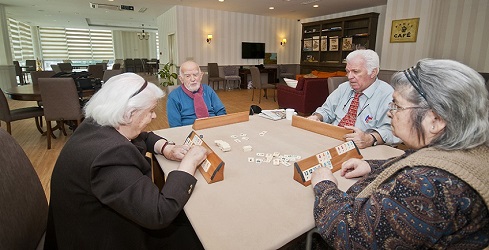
{"x": 60, "y": 99}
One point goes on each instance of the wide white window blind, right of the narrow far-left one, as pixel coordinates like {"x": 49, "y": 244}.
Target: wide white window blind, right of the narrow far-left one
{"x": 76, "y": 44}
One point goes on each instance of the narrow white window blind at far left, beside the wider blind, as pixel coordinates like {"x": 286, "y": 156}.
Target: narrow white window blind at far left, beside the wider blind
{"x": 20, "y": 40}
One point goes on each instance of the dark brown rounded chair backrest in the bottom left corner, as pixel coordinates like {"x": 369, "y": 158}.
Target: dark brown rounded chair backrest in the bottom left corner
{"x": 24, "y": 207}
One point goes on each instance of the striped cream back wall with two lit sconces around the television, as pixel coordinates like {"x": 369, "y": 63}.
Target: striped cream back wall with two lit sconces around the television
{"x": 229, "y": 29}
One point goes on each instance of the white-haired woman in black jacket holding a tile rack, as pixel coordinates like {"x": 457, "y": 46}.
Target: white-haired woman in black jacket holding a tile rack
{"x": 102, "y": 194}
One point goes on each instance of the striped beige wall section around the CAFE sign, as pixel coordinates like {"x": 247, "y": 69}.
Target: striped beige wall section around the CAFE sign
{"x": 449, "y": 29}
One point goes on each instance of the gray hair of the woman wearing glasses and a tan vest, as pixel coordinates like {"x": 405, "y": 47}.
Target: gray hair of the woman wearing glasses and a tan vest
{"x": 457, "y": 94}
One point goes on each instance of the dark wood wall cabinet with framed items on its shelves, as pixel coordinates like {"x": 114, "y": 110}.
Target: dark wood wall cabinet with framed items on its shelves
{"x": 325, "y": 44}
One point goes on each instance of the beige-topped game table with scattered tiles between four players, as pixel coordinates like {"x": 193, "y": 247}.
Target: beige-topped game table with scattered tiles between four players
{"x": 257, "y": 205}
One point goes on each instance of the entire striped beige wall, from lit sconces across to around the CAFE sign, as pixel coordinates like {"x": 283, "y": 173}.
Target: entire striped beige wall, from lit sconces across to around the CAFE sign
{"x": 453, "y": 29}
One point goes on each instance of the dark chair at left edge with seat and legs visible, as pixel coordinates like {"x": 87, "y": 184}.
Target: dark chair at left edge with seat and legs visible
{"x": 7, "y": 115}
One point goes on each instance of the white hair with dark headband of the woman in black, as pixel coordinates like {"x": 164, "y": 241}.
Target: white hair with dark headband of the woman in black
{"x": 121, "y": 95}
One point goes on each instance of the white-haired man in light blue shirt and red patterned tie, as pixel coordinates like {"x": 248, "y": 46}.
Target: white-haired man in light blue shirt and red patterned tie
{"x": 361, "y": 104}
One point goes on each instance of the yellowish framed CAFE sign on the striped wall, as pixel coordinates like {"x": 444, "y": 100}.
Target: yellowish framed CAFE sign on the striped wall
{"x": 404, "y": 30}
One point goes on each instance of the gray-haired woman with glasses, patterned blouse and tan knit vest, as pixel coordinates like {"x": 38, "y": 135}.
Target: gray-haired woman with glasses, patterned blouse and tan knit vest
{"x": 436, "y": 195}
